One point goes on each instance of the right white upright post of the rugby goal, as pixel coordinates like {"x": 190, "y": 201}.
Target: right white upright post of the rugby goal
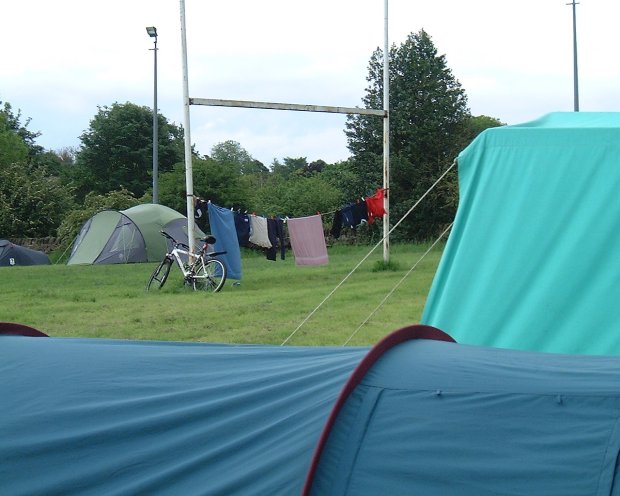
{"x": 386, "y": 138}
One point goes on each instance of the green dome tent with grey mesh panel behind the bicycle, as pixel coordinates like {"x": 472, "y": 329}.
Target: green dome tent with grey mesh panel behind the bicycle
{"x": 128, "y": 236}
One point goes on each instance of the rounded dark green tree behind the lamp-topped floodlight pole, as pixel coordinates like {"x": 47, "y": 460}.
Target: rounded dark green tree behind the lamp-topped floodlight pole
{"x": 117, "y": 150}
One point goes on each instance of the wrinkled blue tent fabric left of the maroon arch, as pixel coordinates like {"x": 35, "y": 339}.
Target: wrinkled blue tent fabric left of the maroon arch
{"x": 88, "y": 416}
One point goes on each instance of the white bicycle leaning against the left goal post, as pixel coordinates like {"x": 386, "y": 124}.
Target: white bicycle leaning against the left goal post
{"x": 204, "y": 273}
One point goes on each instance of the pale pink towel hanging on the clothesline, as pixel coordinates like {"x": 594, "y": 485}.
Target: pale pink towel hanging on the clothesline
{"x": 308, "y": 240}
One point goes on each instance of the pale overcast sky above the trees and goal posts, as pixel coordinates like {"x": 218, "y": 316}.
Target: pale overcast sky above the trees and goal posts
{"x": 62, "y": 60}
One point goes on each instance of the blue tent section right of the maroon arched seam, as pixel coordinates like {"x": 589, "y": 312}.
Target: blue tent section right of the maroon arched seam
{"x": 443, "y": 419}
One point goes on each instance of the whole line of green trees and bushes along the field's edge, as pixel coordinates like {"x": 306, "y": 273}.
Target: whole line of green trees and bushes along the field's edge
{"x": 51, "y": 193}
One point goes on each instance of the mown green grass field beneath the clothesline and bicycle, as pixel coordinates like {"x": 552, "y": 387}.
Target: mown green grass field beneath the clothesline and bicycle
{"x": 268, "y": 304}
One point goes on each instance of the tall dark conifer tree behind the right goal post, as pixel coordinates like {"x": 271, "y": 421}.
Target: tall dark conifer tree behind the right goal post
{"x": 428, "y": 108}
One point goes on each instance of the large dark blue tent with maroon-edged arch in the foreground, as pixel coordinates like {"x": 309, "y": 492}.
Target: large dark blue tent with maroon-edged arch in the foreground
{"x": 410, "y": 416}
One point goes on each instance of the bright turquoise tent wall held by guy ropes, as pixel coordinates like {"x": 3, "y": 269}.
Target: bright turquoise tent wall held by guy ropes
{"x": 533, "y": 259}
